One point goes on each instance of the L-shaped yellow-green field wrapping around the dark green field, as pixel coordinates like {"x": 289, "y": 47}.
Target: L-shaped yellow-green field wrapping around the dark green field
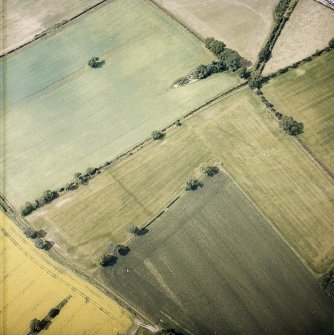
{"x": 237, "y": 131}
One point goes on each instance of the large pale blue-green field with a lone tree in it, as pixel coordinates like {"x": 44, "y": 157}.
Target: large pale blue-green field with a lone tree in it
{"x": 72, "y": 117}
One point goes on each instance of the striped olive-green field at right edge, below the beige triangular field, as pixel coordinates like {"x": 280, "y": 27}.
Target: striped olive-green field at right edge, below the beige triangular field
{"x": 306, "y": 94}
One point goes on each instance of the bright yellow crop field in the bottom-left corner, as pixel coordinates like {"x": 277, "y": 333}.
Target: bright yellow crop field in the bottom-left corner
{"x": 32, "y": 284}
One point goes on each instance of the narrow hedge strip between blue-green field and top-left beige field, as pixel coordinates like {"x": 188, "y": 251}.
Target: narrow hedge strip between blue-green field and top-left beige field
{"x": 52, "y": 30}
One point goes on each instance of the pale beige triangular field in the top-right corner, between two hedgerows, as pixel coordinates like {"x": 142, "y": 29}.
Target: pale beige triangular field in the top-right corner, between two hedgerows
{"x": 310, "y": 27}
